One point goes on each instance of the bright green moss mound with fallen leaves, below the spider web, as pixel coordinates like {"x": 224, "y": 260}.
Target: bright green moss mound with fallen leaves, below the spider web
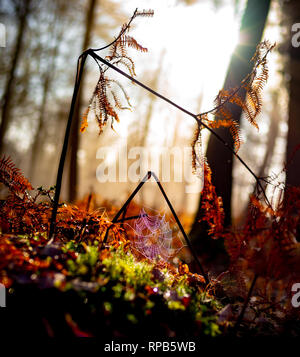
{"x": 127, "y": 293}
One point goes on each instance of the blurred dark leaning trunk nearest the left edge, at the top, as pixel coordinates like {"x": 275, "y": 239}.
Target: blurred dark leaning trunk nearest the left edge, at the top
{"x": 24, "y": 11}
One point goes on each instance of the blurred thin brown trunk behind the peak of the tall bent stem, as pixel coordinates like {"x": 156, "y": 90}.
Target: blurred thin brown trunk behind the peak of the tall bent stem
{"x": 74, "y": 142}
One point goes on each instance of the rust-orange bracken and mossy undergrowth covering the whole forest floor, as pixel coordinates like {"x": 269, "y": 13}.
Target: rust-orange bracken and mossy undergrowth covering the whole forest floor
{"x": 72, "y": 285}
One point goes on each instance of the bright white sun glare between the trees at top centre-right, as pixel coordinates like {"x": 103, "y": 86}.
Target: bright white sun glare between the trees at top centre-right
{"x": 197, "y": 42}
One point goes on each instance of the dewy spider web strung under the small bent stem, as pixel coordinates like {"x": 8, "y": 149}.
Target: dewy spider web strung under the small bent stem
{"x": 153, "y": 237}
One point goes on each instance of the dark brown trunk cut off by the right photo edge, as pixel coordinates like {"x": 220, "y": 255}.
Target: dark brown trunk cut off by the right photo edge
{"x": 292, "y": 8}
